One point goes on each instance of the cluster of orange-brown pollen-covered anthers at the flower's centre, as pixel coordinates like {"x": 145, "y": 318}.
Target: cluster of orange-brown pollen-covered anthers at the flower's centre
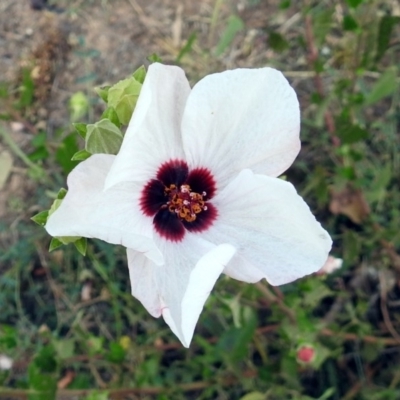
{"x": 185, "y": 203}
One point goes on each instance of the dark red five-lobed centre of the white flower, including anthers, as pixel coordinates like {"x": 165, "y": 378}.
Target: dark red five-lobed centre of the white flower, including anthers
{"x": 178, "y": 200}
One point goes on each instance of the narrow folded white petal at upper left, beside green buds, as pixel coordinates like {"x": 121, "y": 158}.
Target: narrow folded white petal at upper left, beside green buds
{"x": 153, "y": 135}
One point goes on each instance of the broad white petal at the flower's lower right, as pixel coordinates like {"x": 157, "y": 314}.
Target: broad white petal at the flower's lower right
{"x": 272, "y": 228}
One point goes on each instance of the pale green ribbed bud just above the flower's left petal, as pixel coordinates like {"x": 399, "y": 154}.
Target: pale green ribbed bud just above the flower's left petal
{"x": 103, "y": 137}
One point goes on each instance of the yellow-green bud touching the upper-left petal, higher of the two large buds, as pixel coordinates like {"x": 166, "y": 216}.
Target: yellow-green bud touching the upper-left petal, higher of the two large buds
{"x": 123, "y": 97}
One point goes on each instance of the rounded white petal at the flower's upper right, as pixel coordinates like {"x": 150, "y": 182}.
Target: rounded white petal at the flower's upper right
{"x": 244, "y": 118}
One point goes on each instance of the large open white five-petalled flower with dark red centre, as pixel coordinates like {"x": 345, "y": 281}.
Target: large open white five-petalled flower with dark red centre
{"x": 193, "y": 191}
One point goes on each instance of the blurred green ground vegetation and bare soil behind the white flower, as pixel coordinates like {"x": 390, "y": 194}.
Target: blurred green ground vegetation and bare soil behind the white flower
{"x": 69, "y": 323}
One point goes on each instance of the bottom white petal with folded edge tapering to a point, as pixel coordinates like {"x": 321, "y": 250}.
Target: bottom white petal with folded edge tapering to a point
{"x": 178, "y": 289}
